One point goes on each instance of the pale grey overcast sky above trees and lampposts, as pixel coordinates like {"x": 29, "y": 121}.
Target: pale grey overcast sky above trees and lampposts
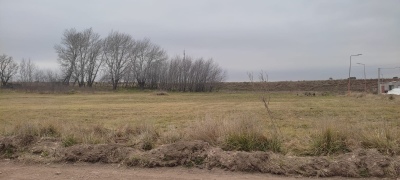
{"x": 289, "y": 39}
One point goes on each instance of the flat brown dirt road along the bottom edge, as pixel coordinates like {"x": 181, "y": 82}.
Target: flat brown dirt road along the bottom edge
{"x": 11, "y": 170}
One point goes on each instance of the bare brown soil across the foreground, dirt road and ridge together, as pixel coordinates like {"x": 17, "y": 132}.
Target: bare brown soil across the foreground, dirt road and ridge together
{"x": 193, "y": 156}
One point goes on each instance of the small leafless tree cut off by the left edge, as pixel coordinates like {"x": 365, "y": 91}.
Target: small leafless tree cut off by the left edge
{"x": 8, "y": 68}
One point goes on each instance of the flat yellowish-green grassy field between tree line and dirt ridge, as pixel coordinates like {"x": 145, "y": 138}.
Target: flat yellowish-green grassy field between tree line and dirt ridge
{"x": 304, "y": 123}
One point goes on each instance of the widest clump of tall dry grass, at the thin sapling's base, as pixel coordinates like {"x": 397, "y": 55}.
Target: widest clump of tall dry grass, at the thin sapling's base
{"x": 239, "y": 133}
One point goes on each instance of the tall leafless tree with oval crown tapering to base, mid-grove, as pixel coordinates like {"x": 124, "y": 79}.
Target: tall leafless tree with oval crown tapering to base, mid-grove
{"x": 117, "y": 53}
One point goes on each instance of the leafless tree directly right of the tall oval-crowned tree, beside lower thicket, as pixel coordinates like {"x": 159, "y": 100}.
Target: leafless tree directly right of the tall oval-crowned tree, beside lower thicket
{"x": 146, "y": 55}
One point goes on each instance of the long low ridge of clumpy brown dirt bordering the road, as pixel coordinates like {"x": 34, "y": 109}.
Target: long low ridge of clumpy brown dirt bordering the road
{"x": 359, "y": 163}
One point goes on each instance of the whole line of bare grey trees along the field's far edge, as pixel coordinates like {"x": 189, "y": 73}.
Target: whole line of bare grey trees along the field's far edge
{"x": 119, "y": 59}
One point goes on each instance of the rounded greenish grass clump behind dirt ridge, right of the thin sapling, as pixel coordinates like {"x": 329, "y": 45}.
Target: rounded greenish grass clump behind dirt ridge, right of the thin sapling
{"x": 330, "y": 141}
